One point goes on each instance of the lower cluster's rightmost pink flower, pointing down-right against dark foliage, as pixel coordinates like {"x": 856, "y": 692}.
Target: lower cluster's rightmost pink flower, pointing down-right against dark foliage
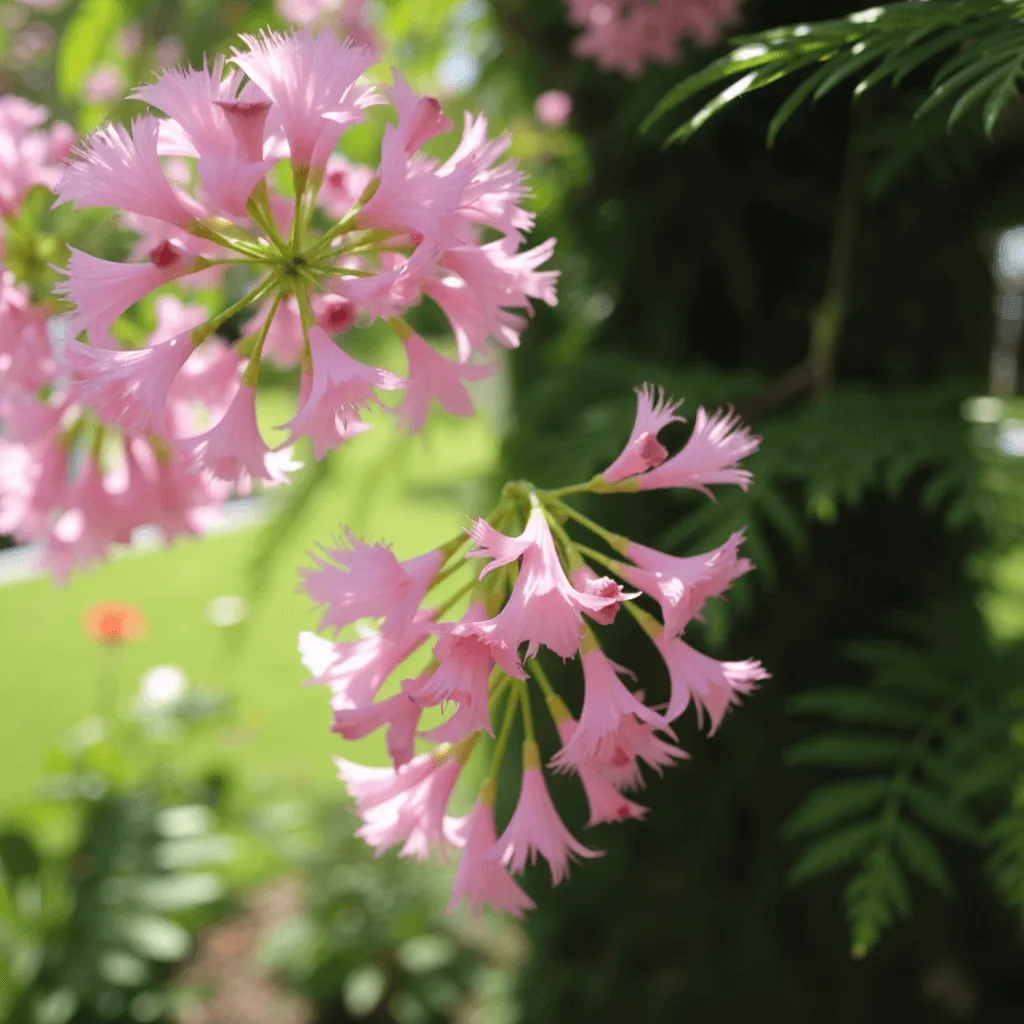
{"x": 713, "y": 686}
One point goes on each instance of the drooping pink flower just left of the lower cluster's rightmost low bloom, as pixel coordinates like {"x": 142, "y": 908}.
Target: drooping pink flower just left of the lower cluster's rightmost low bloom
{"x": 607, "y": 703}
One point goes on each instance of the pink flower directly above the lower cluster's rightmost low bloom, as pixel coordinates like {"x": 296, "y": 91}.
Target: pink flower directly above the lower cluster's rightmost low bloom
{"x": 682, "y": 586}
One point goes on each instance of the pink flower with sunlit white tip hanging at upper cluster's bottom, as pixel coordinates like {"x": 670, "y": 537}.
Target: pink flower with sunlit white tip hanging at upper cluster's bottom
{"x": 235, "y": 451}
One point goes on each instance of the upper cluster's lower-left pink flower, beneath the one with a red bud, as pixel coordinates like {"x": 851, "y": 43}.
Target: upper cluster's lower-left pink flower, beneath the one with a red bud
{"x": 129, "y": 389}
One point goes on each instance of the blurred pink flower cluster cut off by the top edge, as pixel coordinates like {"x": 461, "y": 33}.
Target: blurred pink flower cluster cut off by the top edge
{"x": 624, "y": 35}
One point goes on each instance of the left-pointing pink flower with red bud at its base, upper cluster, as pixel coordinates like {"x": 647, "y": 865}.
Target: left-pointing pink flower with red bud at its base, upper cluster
{"x": 102, "y": 290}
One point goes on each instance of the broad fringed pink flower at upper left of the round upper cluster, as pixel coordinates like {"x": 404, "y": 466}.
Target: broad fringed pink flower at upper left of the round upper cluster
{"x": 115, "y": 167}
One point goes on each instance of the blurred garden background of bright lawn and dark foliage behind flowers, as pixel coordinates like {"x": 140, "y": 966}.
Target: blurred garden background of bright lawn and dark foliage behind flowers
{"x": 175, "y": 844}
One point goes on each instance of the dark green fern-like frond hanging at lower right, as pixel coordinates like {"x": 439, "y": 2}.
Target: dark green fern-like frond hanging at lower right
{"x": 929, "y": 734}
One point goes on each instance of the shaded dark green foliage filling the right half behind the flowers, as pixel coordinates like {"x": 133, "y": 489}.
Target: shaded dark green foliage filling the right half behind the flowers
{"x": 879, "y": 757}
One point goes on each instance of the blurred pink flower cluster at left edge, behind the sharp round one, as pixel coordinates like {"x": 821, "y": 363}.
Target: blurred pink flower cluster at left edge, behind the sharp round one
{"x": 77, "y": 488}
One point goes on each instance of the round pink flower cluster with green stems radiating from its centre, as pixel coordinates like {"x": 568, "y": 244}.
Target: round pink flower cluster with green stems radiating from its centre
{"x": 352, "y": 246}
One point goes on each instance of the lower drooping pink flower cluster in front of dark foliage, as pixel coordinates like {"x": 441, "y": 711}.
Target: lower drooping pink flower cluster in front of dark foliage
{"x": 539, "y": 589}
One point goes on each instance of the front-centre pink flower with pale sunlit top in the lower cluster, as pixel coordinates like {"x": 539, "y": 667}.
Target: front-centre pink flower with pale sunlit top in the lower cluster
{"x": 544, "y": 608}
